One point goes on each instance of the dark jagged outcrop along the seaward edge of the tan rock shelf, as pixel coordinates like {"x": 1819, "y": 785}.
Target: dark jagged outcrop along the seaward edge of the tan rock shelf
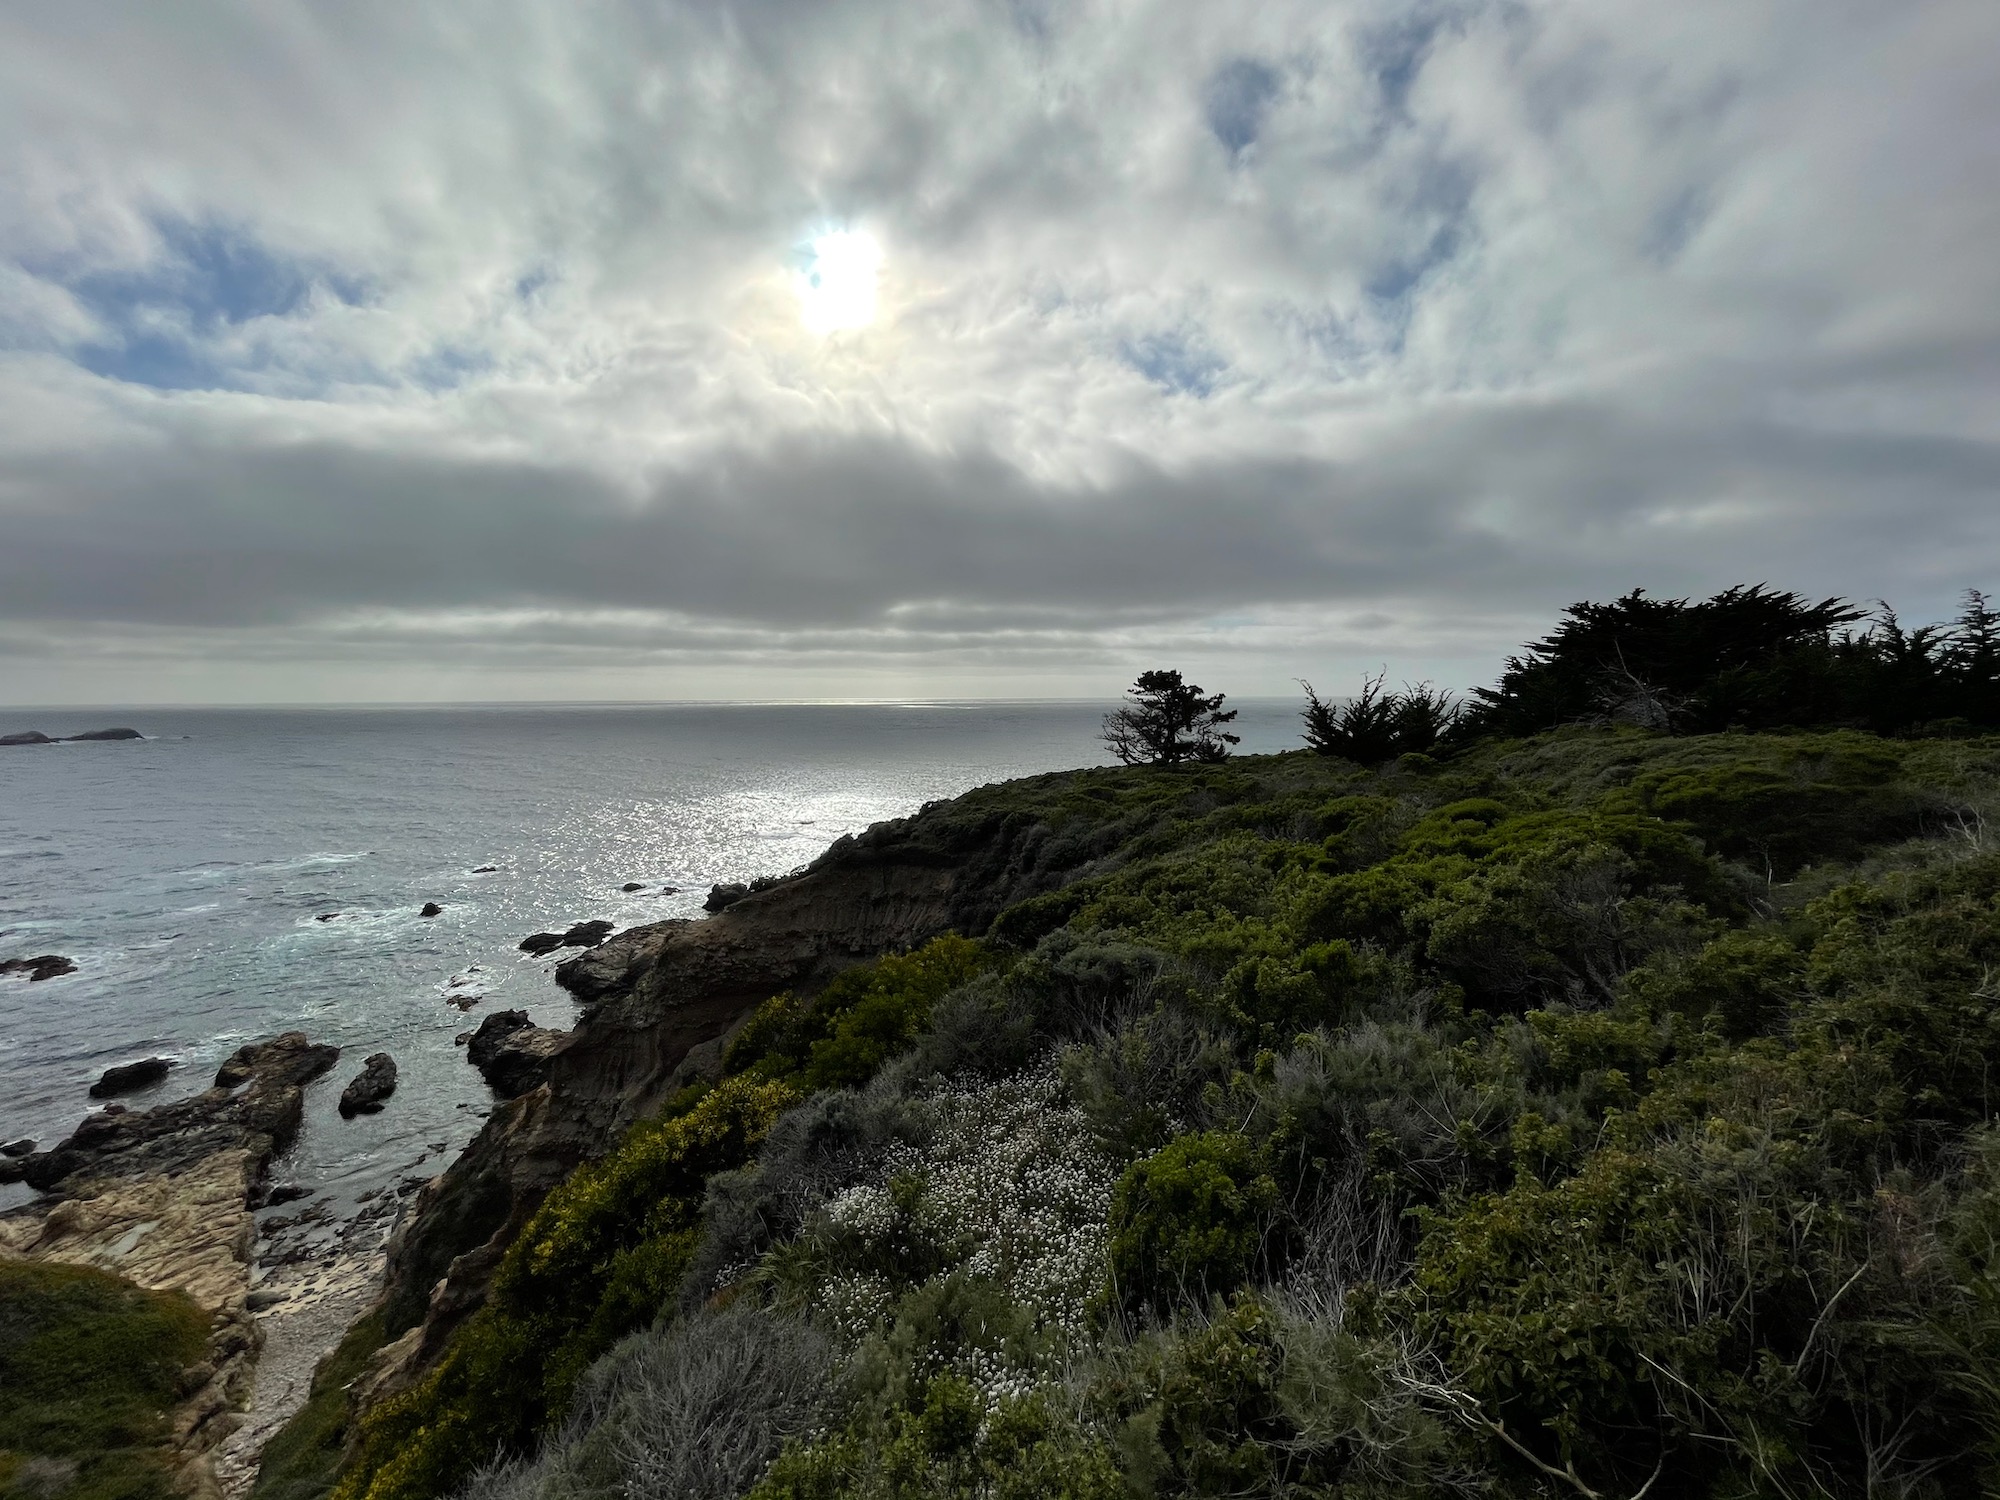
{"x": 263, "y": 1119}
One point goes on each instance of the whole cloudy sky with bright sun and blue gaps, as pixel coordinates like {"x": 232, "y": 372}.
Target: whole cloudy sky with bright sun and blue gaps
{"x": 973, "y": 349}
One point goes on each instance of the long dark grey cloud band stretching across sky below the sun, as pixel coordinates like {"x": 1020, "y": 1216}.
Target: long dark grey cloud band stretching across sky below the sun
{"x": 1499, "y": 503}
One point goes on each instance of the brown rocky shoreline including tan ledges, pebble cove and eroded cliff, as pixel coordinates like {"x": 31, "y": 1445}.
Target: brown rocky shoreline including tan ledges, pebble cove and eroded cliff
{"x": 169, "y": 1197}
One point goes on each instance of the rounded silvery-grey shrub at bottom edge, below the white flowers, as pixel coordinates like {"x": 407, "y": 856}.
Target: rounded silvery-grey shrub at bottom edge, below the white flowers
{"x": 693, "y": 1411}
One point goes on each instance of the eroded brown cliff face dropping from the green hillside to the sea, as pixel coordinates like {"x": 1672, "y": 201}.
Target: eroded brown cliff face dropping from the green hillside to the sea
{"x": 661, "y": 1001}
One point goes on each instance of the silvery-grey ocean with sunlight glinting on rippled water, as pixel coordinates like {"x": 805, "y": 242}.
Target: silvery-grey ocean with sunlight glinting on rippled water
{"x": 243, "y": 873}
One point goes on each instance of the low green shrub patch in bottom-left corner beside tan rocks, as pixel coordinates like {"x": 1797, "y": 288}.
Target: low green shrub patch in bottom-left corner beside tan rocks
{"x": 89, "y": 1371}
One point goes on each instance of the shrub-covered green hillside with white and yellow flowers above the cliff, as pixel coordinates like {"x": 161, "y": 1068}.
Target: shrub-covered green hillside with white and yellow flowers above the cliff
{"x": 1563, "y": 1117}
